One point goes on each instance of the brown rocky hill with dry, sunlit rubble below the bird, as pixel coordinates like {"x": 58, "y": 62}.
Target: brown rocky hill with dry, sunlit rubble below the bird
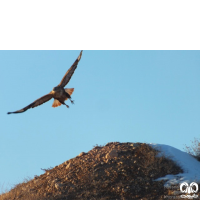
{"x": 116, "y": 171}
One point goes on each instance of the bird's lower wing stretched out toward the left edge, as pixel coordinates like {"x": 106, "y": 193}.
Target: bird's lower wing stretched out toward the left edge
{"x": 37, "y": 102}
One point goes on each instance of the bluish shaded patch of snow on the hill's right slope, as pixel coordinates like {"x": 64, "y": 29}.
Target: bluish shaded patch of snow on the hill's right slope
{"x": 189, "y": 164}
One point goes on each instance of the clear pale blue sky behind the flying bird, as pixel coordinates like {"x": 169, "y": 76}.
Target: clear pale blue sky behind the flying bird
{"x": 124, "y": 96}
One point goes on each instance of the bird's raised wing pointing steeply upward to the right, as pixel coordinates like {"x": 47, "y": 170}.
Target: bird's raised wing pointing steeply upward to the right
{"x": 70, "y": 72}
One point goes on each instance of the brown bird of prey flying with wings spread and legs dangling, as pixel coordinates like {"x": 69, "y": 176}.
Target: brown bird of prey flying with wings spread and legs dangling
{"x": 59, "y": 93}
